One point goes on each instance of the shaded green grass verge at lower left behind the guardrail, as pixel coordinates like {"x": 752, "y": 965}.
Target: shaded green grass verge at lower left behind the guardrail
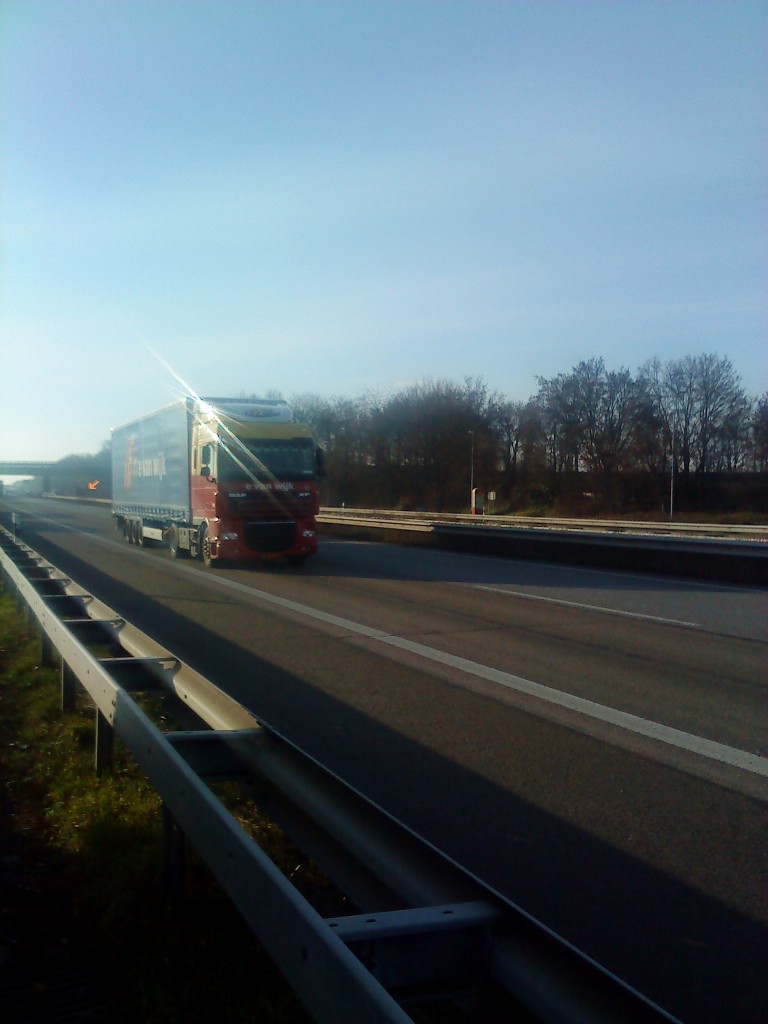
{"x": 86, "y": 928}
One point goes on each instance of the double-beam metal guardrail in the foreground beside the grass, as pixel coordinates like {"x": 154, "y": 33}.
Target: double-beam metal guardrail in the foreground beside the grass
{"x": 431, "y": 928}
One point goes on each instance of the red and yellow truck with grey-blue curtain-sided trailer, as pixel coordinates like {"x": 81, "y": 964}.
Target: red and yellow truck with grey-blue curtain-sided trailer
{"x": 220, "y": 481}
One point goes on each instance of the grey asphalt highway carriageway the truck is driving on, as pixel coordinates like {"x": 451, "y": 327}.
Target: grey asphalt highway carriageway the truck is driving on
{"x": 593, "y": 745}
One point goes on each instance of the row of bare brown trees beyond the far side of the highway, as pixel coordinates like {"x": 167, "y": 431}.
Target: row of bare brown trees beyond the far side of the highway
{"x": 589, "y": 440}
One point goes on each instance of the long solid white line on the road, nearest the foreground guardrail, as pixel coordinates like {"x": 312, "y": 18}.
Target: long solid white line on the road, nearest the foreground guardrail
{"x": 745, "y": 760}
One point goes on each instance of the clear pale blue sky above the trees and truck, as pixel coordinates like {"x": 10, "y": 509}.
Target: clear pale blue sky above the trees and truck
{"x": 347, "y": 198}
